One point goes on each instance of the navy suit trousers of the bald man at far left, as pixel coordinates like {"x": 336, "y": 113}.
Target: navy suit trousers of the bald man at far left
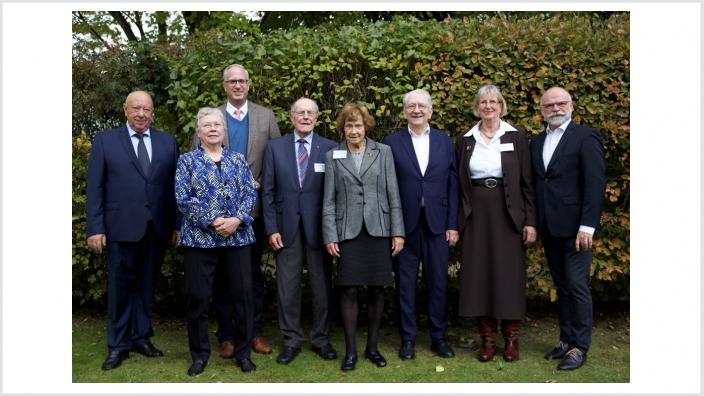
{"x": 132, "y": 271}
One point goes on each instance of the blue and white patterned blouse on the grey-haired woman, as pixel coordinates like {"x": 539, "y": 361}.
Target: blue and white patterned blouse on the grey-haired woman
{"x": 204, "y": 192}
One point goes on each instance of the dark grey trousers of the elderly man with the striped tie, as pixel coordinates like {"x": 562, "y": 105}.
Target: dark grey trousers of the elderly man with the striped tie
{"x": 289, "y": 274}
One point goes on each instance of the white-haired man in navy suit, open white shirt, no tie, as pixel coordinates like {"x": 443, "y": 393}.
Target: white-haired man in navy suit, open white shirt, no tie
{"x": 426, "y": 171}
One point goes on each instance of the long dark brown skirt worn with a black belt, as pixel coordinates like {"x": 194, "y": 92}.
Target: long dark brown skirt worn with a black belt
{"x": 493, "y": 272}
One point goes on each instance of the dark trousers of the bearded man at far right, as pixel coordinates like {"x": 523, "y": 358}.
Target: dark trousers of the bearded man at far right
{"x": 570, "y": 273}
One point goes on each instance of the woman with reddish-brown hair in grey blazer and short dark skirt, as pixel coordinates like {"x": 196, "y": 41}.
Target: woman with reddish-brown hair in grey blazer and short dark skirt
{"x": 362, "y": 224}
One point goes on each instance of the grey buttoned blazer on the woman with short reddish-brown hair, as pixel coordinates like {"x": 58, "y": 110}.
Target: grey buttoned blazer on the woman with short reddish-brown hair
{"x": 372, "y": 196}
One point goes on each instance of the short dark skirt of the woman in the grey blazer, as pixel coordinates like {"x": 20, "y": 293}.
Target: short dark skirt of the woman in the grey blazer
{"x": 365, "y": 261}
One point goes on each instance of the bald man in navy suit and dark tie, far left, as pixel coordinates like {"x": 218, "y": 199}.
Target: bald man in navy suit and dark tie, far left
{"x": 131, "y": 212}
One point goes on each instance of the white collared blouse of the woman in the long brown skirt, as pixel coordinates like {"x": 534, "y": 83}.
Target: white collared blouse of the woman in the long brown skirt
{"x": 486, "y": 158}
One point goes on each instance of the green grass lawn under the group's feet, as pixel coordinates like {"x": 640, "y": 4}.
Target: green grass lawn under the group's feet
{"x": 609, "y": 357}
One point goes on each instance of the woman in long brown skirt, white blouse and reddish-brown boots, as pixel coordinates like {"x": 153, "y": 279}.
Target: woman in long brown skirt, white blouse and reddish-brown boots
{"x": 497, "y": 219}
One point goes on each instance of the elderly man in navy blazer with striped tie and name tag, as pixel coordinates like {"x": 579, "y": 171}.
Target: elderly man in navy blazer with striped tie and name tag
{"x": 292, "y": 192}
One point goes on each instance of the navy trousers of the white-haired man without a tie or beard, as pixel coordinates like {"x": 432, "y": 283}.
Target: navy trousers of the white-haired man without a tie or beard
{"x": 422, "y": 246}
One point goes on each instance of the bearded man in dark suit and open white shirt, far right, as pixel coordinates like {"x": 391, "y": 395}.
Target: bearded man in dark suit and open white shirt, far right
{"x": 569, "y": 175}
